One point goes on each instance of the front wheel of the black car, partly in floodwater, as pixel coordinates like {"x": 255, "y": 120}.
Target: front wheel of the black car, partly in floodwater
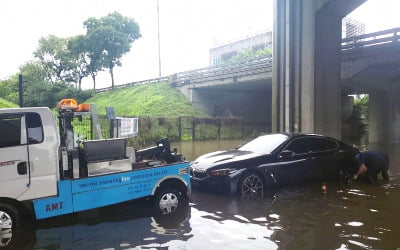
{"x": 251, "y": 185}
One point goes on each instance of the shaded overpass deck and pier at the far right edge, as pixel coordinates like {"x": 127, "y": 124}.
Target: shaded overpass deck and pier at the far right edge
{"x": 377, "y": 73}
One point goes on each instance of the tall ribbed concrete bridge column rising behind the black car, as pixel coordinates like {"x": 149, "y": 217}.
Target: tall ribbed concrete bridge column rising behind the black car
{"x": 306, "y": 65}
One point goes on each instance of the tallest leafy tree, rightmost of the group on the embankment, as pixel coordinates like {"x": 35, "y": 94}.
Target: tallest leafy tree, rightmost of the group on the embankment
{"x": 113, "y": 35}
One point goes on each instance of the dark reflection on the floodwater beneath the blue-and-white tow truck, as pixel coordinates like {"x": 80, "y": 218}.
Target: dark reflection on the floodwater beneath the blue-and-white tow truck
{"x": 121, "y": 226}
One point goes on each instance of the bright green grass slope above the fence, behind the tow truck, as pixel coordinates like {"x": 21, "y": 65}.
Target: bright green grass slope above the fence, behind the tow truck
{"x": 154, "y": 100}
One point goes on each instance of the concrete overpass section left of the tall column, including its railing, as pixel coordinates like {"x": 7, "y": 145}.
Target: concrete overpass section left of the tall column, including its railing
{"x": 240, "y": 89}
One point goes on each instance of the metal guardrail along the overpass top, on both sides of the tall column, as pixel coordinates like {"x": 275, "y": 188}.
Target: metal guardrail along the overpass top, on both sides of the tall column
{"x": 264, "y": 64}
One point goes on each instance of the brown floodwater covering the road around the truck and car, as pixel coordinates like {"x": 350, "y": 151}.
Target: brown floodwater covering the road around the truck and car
{"x": 357, "y": 216}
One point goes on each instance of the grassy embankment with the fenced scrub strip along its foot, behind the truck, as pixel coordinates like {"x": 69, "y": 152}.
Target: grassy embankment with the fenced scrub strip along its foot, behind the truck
{"x": 159, "y": 107}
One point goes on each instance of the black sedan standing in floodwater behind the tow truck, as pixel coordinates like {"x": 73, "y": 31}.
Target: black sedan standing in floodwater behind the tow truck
{"x": 273, "y": 160}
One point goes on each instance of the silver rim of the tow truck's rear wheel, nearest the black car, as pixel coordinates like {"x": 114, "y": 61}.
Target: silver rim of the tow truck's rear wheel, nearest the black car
{"x": 168, "y": 201}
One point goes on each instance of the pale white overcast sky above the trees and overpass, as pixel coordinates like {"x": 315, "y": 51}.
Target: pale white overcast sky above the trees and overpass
{"x": 188, "y": 29}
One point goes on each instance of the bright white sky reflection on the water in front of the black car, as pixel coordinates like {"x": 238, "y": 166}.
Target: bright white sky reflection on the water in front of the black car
{"x": 230, "y": 223}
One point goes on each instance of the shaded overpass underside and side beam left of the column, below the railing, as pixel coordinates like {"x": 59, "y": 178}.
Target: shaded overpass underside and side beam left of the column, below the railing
{"x": 249, "y": 98}
